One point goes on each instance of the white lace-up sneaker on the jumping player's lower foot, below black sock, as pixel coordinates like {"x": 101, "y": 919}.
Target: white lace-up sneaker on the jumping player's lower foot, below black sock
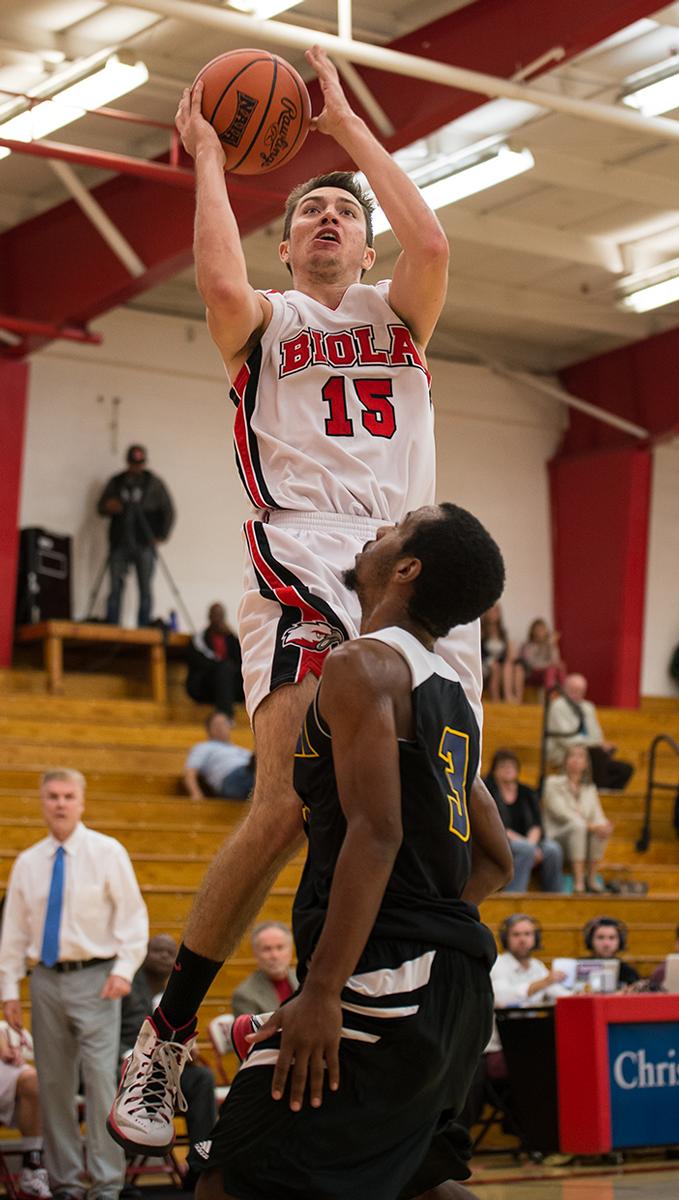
{"x": 142, "y": 1117}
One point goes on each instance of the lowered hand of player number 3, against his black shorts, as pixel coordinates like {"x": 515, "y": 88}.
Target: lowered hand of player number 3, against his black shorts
{"x": 310, "y": 1047}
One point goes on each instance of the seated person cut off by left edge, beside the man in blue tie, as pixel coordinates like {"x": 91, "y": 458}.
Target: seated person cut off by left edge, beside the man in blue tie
{"x": 20, "y": 1109}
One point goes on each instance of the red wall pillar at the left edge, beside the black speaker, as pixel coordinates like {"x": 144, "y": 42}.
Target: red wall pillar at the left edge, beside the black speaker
{"x": 14, "y": 389}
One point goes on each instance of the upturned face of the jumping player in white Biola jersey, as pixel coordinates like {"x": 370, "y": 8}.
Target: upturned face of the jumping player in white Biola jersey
{"x": 328, "y": 237}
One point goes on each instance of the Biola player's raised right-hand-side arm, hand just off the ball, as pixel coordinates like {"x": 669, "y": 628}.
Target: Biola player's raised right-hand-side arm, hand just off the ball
{"x": 420, "y": 277}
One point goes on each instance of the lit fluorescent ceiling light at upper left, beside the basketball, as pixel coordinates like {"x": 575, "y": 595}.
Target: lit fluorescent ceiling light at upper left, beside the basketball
{"x": 113, "y": 80}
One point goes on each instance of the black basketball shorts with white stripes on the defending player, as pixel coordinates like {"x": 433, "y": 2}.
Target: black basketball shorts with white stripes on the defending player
{"x": 416, "y": 1019}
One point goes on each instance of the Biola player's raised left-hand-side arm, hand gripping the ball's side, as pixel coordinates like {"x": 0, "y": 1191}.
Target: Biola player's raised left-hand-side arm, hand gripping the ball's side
{"x": 237, "y": 314}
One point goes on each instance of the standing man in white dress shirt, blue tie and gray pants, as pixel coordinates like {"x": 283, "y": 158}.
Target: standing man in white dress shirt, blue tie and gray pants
{"x": 75, "y": 909}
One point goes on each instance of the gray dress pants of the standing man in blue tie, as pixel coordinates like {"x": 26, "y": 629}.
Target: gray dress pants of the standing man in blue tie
{"x": 77, "y": 1034}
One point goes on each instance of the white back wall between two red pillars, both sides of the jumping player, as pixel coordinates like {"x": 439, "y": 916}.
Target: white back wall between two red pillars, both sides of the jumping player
{"x": 495, "y": 440}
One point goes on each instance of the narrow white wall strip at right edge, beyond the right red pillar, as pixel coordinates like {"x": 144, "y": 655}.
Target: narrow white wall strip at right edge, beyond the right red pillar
{"x": 662, "y": 621}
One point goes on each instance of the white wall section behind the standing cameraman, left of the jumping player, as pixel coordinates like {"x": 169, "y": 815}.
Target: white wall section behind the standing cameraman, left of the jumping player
{"x": 175, "y": 400}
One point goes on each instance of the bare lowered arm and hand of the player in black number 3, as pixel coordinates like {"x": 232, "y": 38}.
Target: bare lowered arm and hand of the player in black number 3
{"x": 359, "y": 711}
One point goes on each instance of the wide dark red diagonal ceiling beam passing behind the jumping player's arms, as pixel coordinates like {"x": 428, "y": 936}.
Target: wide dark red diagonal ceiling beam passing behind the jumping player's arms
{"x": 57, "y": 268}
